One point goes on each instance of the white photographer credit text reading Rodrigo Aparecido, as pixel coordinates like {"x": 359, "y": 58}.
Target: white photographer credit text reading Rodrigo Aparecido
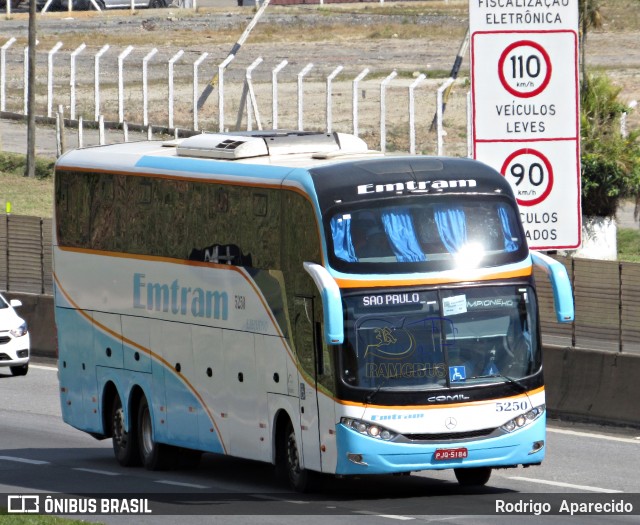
{"x": 564, "y": 505}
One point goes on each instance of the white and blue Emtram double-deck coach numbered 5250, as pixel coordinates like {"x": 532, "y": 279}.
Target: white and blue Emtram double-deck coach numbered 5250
{"x": 295, "y": 298}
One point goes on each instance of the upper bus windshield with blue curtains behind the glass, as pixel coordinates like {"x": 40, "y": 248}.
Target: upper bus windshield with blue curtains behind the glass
{"x": 426, "y": 233}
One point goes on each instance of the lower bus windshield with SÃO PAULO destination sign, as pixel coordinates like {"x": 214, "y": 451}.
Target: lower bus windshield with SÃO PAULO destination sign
{"x": 437, "y": 339}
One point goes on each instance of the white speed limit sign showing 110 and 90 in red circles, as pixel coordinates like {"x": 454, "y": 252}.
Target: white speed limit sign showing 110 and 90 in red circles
{"x": 526, "y": 118}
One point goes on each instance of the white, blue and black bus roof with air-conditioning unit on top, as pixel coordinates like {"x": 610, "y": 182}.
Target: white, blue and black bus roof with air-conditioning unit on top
{"x": 341, "y": 166}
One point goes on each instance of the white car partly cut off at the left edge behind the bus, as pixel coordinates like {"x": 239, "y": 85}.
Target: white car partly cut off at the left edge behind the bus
{"x": 14, "y": 338}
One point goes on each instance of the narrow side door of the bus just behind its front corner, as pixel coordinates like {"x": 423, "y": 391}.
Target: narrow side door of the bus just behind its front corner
{"x": 304, "y": 339}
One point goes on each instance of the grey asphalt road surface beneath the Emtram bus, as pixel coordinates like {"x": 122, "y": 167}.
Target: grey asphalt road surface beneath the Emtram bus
{"x": 39, "y": 453}
